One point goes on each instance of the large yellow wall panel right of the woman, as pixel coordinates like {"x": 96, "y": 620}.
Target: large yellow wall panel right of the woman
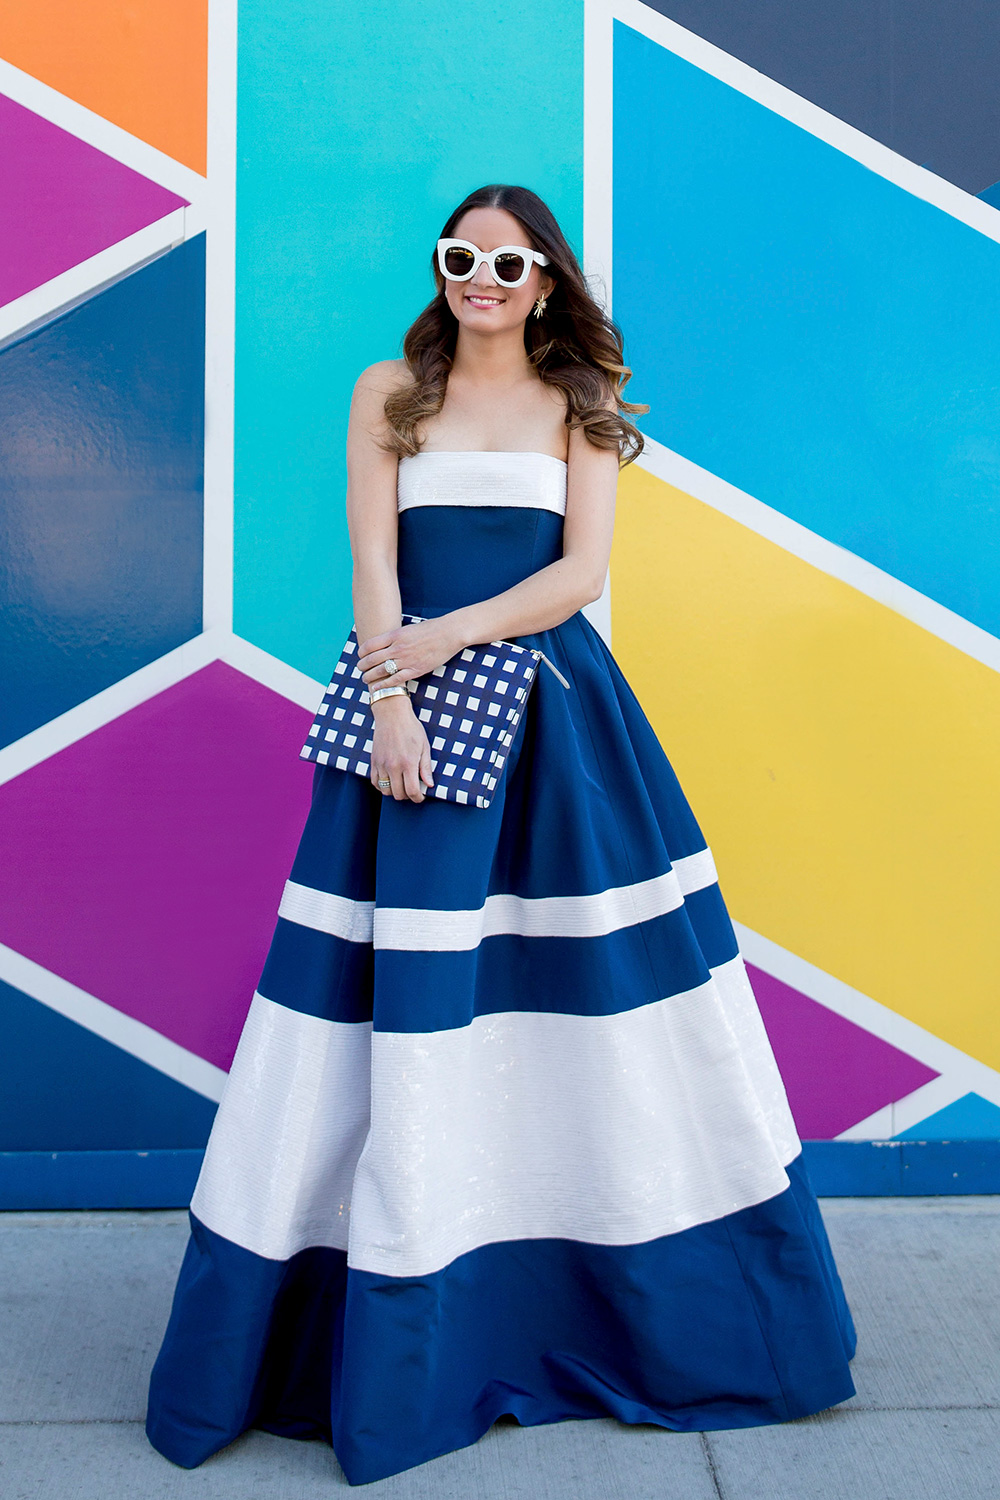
{"x": 843, "y": 763}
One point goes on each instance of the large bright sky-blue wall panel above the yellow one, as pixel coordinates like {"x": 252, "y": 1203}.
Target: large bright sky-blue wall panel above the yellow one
{"x": 807, "y": 331}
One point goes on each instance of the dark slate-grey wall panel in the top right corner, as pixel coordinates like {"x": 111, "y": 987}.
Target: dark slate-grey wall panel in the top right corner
{"x": 920, "y": 77}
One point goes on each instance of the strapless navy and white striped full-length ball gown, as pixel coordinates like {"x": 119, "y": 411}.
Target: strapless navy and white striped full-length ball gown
{"x": 504, "y": 1132}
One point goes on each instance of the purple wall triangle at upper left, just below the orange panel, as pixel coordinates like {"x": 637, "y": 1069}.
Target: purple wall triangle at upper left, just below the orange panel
{"x": 64, "y": 200}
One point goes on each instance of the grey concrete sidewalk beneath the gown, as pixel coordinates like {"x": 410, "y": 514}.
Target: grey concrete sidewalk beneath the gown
{"x": 85, "y": 1301}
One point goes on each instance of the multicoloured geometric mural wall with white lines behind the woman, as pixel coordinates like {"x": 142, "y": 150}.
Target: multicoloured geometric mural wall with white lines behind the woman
{"x": 214, "y": 221}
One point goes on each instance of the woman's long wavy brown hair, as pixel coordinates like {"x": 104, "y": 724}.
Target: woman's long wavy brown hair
{"x": 575, "y": 346}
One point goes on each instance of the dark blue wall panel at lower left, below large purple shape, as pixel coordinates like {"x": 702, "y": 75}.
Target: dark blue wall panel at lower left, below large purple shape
{"x": 62, "y": 1088}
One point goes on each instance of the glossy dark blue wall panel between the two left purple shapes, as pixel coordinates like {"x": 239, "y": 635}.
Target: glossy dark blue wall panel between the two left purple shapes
{"x": 101, "y": 490}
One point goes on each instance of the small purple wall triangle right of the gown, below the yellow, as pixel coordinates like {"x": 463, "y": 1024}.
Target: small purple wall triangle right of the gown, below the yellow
{"x": 836, "y": 1073}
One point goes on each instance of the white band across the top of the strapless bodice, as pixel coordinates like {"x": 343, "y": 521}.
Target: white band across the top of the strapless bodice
{"x": 484, "y": 478}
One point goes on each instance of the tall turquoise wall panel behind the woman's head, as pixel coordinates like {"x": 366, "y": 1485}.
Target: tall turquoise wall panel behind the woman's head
{"x": 359, "y": 131}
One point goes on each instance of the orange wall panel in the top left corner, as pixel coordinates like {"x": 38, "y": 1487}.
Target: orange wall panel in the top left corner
{"x": 143, "y": 65}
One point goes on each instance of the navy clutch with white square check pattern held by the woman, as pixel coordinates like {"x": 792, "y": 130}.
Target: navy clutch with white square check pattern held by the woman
{"x": 470, "y": 707}
